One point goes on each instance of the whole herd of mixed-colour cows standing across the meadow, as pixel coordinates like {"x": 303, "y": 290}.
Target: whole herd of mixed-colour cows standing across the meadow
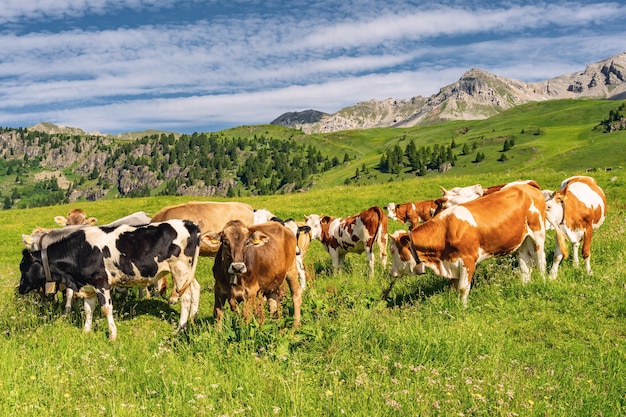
{"x": 255, "y": 252}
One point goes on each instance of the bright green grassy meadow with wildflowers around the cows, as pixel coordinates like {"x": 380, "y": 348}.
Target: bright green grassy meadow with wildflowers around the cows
{"x": 547, "y": 348}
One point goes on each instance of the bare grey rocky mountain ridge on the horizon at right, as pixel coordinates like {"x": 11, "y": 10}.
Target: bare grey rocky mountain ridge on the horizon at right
{"x": 477, "y": 95}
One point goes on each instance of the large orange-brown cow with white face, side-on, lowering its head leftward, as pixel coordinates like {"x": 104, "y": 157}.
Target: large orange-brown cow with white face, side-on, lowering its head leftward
{"x": 458, "y": 238}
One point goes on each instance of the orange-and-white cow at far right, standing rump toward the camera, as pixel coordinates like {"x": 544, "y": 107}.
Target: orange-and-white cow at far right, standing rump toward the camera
{"x": 578, "y": 208}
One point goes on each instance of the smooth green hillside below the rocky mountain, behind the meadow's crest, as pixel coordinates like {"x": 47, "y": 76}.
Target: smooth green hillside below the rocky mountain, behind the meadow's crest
{"x": 558, "y": 135}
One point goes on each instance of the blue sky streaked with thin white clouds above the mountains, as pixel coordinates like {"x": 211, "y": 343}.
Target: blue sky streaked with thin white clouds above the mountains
{"x": 199, "y": 66}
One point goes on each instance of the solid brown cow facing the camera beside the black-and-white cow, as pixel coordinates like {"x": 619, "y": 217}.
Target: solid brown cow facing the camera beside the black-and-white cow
{"x": 255, "y": 261}
